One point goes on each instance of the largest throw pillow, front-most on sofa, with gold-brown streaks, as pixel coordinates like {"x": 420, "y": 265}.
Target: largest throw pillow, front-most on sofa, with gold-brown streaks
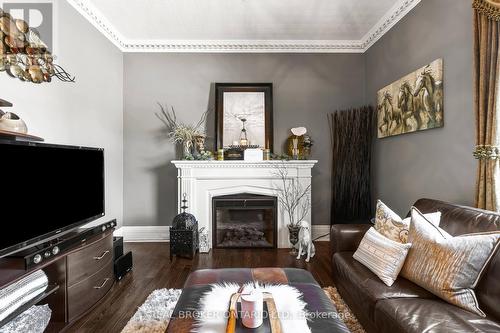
{"x": 447, "y": 266}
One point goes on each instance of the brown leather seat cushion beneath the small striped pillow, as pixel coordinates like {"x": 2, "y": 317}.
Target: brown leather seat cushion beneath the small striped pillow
{"x": 366, "y": 287}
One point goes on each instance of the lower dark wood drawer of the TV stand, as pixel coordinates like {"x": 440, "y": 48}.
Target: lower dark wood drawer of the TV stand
{"x": 82, "y": 296}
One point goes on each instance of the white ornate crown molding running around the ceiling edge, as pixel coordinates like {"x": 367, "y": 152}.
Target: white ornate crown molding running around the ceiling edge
{"x": 101, "y": 23}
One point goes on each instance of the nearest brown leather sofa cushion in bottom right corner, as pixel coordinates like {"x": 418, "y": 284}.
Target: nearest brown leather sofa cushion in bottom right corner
{"x": 428, "y": 315}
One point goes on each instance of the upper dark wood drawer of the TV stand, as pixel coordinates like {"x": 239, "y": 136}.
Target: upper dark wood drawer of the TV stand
{"x": 90, "y": 260}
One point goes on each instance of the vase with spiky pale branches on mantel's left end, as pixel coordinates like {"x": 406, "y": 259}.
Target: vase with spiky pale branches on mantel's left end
{"x": 181, "y": 133}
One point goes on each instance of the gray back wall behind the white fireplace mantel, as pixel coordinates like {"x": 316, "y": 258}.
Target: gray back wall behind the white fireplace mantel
{"x": 306, "y": 88}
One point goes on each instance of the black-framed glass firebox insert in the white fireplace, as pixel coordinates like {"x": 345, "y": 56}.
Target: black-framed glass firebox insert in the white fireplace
{"x": 244, "y": 221}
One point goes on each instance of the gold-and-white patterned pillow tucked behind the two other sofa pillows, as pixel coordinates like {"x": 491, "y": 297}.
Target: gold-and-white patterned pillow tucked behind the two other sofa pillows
{"x": 390, "y": 225}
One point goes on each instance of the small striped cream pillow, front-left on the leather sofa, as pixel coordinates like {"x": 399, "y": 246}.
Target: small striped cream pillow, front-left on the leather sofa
{"x": 382, "y": 256}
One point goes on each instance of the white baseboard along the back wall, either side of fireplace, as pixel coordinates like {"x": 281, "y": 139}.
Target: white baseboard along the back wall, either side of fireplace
{"x": 161, "y": 233}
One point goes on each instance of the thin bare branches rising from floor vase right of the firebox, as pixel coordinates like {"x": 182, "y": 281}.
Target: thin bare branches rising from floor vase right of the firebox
{"x": 293, "y": 197}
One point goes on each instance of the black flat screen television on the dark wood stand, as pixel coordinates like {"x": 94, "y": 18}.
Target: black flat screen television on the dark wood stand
{"x": 47, "y": 190}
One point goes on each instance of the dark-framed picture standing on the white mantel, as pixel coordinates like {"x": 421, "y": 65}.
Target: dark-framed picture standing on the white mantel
{"x": 244, "y": 115}
